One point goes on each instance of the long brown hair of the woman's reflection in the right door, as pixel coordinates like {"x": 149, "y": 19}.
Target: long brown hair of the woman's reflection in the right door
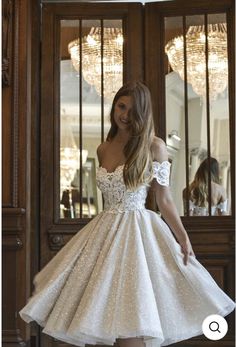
{"x": 199, "y": 187}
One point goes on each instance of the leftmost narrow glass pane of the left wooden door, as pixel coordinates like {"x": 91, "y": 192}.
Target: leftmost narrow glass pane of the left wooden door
{"x": 69, "y": 119}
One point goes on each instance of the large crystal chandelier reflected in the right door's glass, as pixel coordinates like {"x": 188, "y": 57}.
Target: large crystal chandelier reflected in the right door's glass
{"x": 196, "y": 58}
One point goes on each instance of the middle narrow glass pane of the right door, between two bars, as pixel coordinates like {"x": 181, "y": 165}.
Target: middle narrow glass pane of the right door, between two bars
{"x": 197, "y": 113}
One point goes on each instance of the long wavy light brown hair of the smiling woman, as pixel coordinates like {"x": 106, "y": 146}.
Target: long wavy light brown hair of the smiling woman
{"x": 137, "y": 151}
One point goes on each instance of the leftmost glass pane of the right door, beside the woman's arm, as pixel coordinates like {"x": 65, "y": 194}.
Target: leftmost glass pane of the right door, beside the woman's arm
{"x": 175, "y": 111}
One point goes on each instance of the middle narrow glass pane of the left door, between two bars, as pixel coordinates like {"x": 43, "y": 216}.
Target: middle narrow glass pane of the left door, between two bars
{"x": 91, "y": 114}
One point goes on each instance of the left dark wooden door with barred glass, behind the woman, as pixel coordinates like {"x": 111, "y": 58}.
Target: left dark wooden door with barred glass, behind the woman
{"x": 74, "y": 111}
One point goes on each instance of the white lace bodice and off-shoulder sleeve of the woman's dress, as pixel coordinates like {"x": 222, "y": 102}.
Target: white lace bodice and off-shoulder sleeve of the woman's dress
{"x": 117, "y": 198}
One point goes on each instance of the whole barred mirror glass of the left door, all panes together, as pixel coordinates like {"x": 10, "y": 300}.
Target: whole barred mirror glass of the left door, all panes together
{"x": 84, "y": 108}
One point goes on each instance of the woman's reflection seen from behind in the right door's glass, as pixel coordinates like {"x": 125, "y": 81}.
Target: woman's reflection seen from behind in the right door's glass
{"x": 198, "y": 192}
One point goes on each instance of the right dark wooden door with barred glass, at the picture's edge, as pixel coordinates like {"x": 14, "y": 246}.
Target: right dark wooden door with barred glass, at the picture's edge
{"x": 177, "y": 102}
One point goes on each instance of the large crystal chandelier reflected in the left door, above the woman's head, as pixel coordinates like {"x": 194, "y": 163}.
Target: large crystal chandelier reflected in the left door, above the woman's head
{"x": 92, "y": 59}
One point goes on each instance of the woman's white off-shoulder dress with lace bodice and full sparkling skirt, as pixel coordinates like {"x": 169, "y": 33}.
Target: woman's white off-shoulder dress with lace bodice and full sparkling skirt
{"x": 122, "y": 276}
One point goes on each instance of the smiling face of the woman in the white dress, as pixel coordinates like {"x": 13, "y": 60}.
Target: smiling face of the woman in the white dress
{"x": 121, "y": 112}
